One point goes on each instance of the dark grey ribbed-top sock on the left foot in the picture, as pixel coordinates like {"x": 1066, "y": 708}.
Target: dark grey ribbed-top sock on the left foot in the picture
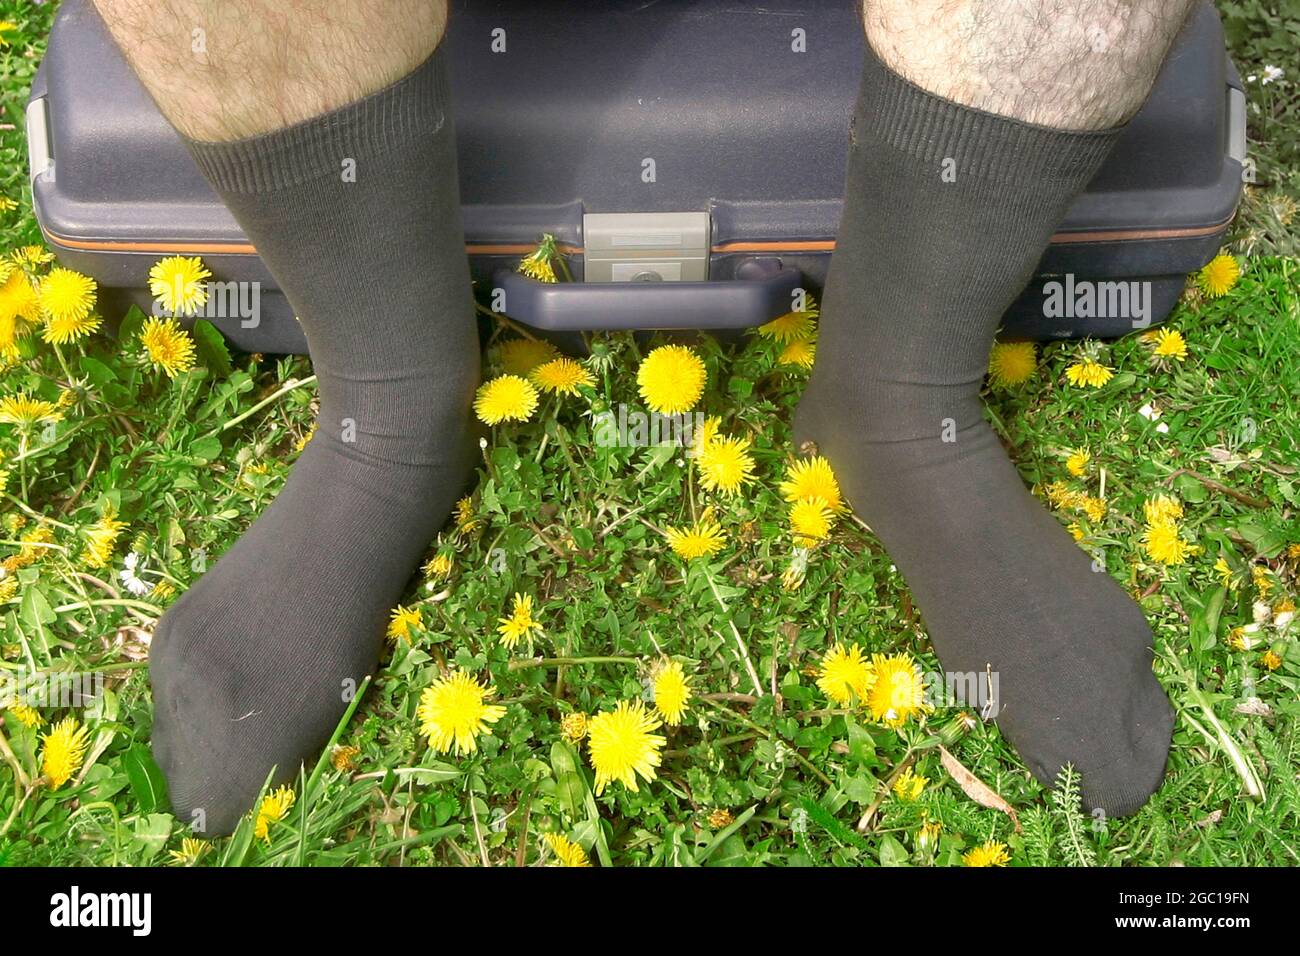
{"x": 255, "y": 664}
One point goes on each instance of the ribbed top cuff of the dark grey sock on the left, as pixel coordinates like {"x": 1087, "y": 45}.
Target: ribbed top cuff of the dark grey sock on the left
{"x": 415, "y": 106}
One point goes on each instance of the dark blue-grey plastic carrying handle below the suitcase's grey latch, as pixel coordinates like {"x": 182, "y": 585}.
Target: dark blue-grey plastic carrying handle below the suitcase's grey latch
{"x": 761, "y": 292}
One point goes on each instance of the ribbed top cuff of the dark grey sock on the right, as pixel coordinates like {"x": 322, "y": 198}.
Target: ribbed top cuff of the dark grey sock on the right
{"x": 989, "y": 146}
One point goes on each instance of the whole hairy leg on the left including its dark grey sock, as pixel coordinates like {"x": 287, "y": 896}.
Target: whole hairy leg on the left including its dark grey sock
{"x": 327, "y": 131}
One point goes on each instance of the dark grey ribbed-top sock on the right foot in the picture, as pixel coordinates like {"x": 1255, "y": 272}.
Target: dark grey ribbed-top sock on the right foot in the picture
{"x": 922, "y": 274}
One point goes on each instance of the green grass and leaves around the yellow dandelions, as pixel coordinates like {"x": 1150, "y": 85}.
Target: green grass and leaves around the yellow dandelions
{"x": 764, "y": 771}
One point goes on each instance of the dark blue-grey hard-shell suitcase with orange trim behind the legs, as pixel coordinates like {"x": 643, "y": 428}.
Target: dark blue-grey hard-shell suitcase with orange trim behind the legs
{"x": 688, "y": 157}
